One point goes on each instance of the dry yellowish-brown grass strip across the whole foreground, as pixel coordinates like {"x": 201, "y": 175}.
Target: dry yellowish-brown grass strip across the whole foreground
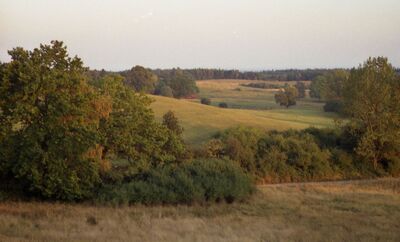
{"x": 344, "y": 211}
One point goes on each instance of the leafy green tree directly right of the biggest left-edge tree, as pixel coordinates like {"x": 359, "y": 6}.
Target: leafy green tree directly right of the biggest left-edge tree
{"x": 131, "y": 131}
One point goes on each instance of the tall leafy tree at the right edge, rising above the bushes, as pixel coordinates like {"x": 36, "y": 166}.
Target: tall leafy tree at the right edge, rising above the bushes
{"x": 372, "y": 100}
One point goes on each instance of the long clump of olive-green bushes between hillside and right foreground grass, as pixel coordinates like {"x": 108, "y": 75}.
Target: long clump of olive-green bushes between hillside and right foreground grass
{"x": 292, "y": 156}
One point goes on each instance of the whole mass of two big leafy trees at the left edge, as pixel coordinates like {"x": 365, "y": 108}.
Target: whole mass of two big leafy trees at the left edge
{"x": 59, "y": 133}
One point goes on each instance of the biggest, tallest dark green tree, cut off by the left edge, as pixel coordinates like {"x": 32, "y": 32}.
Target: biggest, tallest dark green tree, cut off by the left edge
{"x": 49, "y": 117}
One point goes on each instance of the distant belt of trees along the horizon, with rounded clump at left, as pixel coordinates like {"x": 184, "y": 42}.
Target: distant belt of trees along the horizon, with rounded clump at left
{"x": 180, "y": 83}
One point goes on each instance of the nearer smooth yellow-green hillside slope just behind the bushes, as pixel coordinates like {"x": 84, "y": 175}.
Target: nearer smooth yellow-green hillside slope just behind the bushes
{"x": 202, "y": 121}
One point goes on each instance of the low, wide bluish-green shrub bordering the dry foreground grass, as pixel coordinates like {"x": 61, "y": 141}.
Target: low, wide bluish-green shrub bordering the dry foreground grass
{"x": 197, "y": 182}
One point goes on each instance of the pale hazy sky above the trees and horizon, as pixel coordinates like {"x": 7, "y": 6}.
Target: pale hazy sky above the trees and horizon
{"x": 241, "y": 34}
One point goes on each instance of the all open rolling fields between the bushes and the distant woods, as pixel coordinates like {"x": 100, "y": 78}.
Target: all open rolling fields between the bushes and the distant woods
{"x": 251, "y": 107}
